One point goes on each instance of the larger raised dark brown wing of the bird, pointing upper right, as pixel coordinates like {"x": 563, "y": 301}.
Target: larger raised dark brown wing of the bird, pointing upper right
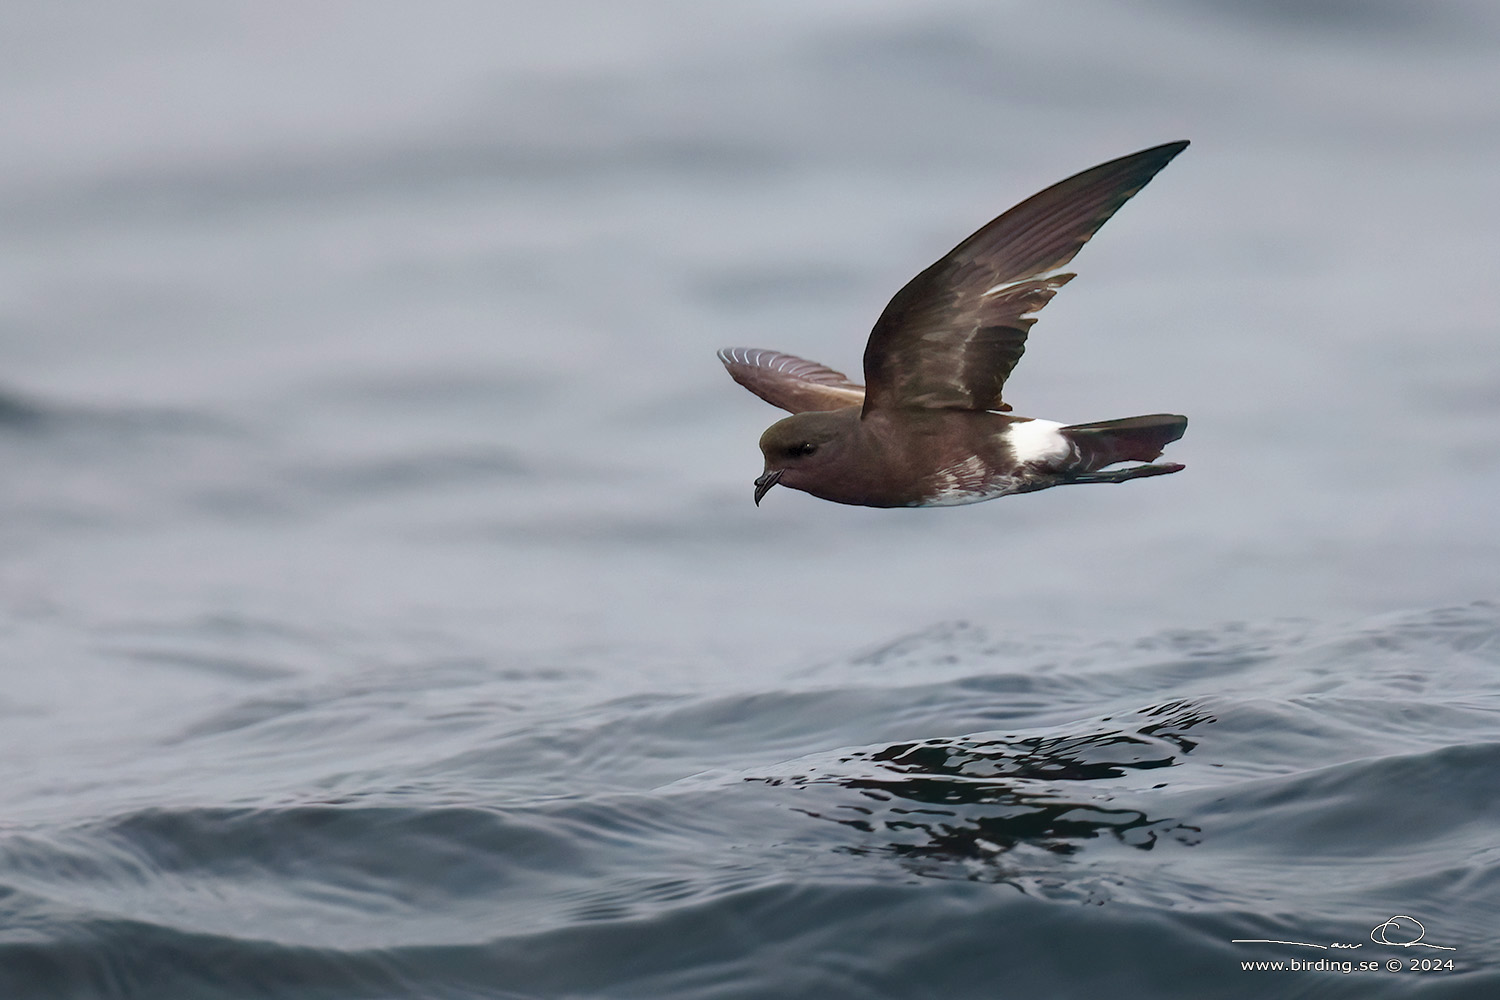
{"x": 952, "y": 337}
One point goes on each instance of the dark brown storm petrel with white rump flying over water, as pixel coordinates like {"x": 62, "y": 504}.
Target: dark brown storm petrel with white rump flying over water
{"x": 929, "y": 427}
